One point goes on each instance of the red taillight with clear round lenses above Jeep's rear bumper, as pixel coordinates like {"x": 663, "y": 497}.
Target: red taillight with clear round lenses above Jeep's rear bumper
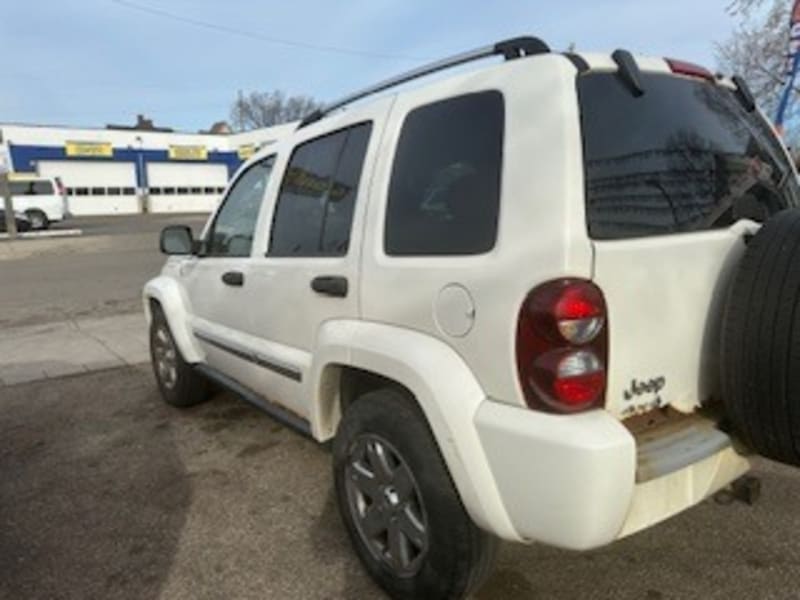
{"x": 562, "y": 346}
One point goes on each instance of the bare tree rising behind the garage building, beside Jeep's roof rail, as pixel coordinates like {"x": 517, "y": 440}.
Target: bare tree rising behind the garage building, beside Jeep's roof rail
{"x": 263, "y": 109}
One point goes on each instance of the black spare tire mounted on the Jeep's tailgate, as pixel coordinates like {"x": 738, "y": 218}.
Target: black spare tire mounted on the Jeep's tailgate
{"x": 761, "y": 342}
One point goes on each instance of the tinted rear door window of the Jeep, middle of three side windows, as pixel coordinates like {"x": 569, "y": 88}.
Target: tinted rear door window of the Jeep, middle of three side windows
{"x": 314, "y": 213}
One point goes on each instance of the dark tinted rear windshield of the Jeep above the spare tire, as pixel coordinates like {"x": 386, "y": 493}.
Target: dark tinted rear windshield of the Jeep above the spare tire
{"x": 683, "y": 157}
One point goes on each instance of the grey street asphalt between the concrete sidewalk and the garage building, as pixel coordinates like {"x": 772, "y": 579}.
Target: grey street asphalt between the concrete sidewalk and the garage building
{"x": 96, "y": 275}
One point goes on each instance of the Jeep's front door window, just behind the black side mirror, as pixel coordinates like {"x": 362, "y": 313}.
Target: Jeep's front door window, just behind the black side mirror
{"x": 234, "y": 226}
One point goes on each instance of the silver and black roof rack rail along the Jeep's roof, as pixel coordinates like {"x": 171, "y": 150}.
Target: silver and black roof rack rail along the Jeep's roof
{"x": 509, "y": 49}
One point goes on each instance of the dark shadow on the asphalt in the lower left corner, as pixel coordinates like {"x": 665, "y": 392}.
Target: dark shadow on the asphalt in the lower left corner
{"x": 93, "y": 495}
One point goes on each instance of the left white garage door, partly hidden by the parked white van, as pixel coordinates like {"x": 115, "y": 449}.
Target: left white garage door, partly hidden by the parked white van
{"x": 95, "y": 188}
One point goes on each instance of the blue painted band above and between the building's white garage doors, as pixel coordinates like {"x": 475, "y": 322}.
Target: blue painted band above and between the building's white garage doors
{"x": 25, "y": 157}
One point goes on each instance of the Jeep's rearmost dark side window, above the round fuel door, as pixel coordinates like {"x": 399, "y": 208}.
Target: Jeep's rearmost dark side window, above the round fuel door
{"x": 444, "y": 194}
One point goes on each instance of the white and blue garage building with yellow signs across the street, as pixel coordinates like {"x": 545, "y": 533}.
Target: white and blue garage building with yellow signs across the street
{"x": 123, "y": 170}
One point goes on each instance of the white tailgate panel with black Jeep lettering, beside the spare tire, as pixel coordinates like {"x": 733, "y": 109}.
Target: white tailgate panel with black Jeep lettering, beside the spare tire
{"x": 665, "y": 299}
